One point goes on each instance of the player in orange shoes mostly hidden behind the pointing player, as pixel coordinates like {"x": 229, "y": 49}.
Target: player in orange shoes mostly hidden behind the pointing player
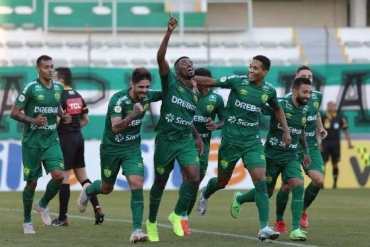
{"x": 210, "y": 105}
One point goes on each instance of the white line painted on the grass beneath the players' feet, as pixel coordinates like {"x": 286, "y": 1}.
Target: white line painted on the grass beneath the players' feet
{"x": 169, "y": 227}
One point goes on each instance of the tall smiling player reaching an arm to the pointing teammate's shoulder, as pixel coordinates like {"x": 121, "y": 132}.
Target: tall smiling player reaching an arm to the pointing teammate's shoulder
{"x": 241, "y": 137}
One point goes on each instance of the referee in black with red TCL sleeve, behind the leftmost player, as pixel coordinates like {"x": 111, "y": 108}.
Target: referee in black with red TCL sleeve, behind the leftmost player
{"x": 73, "y": 146}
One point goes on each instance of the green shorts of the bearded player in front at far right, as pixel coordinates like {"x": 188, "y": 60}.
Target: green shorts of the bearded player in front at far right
{"x": 287, "y": 169}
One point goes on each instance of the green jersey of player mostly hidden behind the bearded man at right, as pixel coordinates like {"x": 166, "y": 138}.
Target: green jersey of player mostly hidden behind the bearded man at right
{"x": 313, "y": 104}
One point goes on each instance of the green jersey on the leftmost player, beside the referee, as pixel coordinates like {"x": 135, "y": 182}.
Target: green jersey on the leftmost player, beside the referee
{"x": 35, "y": 99}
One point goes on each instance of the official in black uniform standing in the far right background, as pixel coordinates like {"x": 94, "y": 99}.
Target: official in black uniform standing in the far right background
{"x": 333, "y": 122}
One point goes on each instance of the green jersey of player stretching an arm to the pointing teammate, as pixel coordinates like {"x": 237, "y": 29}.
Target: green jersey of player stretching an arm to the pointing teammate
{"x": 244, "y": 108}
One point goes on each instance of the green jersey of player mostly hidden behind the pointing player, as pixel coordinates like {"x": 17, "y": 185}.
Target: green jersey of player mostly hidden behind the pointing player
{"x": 208, "y": 106}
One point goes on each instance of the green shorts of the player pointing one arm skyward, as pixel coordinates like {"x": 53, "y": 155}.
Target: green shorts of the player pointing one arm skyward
{"x": 166, "y": 151}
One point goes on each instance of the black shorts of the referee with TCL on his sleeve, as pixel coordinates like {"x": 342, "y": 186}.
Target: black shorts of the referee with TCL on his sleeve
{"x": 73, "y": 149}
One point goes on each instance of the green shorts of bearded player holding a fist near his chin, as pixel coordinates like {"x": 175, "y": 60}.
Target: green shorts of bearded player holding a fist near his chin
{"x": 130, "y": 162}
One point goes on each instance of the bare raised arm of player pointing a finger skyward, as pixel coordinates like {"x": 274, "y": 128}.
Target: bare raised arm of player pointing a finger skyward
{"x": 161, "y": 54}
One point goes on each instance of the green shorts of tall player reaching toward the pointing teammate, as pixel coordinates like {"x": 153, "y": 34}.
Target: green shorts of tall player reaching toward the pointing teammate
{"x": 229, "y": 154}
